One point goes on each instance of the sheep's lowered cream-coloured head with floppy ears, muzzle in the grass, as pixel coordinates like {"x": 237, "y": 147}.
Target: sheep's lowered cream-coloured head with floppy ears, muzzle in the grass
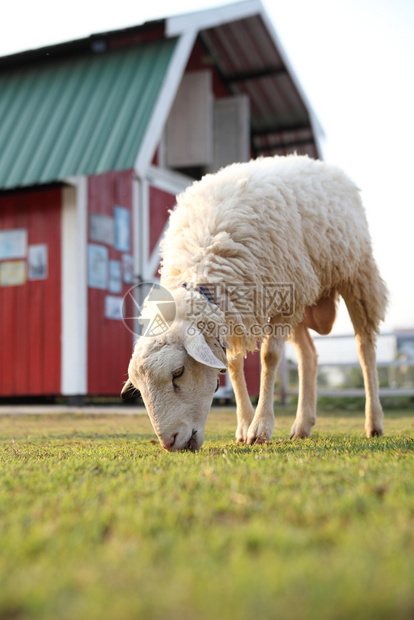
{"x": 177, "y": 374}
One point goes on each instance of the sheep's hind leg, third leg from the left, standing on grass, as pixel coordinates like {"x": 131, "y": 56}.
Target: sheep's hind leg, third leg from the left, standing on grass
{"x": 307, "y": 369}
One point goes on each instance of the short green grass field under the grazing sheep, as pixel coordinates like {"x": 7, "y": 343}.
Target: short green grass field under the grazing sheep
{"x": 98, "y": 522}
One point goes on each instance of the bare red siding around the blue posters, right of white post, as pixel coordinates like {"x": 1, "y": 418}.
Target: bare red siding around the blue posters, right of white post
{"x": 109, "y": 342}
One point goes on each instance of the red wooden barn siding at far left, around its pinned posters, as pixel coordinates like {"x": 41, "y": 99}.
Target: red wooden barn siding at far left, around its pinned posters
{"x": 30, "y": 313}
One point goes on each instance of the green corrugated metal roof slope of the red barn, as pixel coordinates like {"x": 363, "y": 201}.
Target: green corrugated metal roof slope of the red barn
{"x": 80, "y": 115}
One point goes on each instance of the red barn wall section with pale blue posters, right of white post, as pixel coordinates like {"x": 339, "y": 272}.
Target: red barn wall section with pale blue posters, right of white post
{"x": 109, "y": 342}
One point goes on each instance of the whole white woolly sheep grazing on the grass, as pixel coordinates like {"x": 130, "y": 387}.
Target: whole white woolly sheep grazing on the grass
{"x": 287, "y": 224}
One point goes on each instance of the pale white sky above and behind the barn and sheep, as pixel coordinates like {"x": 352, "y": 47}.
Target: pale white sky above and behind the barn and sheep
{"x": 355, "y": 62}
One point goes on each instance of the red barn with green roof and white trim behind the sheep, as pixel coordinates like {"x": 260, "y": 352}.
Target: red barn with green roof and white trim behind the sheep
{"x": 96, "y": 138}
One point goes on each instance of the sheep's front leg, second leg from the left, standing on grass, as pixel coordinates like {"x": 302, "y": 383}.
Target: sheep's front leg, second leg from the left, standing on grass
{"x": 261, "y": 428}
